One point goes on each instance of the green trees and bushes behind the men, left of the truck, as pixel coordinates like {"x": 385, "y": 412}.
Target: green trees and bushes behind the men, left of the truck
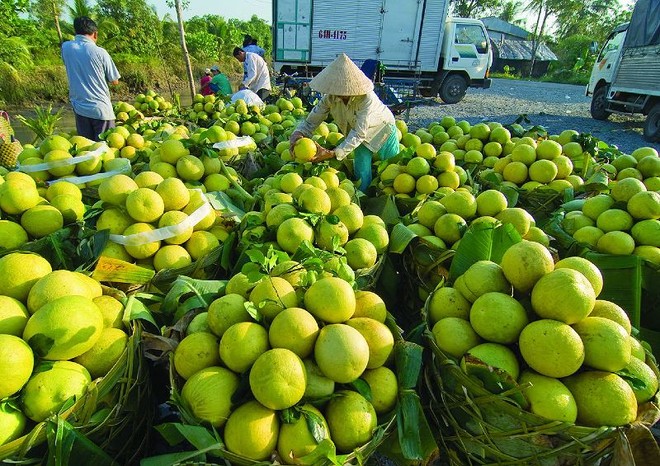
{"x": 144, "y": 46}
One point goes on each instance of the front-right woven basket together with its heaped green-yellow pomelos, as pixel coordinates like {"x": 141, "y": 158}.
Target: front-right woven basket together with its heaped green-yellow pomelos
{"x": 528, "y": 367}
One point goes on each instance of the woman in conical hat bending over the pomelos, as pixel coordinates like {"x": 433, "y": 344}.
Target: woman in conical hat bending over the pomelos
{"x": 348, "y": 95}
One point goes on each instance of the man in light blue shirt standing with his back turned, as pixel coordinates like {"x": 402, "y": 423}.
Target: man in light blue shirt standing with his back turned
{"x": 89, "y": 69}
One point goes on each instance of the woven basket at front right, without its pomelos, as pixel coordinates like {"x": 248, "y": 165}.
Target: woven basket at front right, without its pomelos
{"x": 480, "y": 427}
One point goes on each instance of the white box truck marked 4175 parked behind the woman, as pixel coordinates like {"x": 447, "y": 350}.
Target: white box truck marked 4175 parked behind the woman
{"x": 414, "y": 39}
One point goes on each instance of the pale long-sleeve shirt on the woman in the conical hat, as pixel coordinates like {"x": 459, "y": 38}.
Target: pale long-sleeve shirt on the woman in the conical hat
{"x": 363, "y": 119}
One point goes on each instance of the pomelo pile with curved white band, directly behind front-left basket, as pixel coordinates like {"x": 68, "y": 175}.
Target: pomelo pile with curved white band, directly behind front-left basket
{"x": 186, "y": 226}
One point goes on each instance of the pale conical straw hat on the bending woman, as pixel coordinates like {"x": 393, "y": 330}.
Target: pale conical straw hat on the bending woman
{"x": 342, "y": 77}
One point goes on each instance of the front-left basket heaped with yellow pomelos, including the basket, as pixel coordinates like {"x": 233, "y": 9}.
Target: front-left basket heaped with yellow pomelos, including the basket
{"x": 74, "y": 381}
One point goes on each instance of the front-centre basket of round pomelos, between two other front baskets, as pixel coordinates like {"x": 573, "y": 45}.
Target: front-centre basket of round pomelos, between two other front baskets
{"x": 262, "y": 376}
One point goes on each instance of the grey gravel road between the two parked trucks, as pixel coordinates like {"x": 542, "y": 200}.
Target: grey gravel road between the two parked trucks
{"x": 555, "y": 106}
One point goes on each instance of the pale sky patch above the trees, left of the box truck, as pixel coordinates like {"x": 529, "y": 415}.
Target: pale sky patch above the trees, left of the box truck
{"x": 241, "y": 9}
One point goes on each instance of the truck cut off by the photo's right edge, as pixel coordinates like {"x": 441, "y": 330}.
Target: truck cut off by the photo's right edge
{"x": 626, "y": 76}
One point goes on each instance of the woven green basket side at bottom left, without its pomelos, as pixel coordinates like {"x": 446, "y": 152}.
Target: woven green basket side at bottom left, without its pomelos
{"x": 113, "y": 415}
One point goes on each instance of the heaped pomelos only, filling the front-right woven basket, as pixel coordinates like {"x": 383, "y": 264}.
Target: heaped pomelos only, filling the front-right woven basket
{"x": 541, "y": 324}
